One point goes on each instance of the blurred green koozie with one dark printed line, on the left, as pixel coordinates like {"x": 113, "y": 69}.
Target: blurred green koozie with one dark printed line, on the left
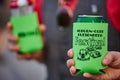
{"x": 26, "y": 28}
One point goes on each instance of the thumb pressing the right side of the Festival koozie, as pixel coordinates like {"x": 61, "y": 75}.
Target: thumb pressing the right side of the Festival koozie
{"x": 112, "y": 59}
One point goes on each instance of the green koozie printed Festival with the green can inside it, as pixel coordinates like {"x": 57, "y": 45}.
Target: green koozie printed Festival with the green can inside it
{"x": 90, "y": 38}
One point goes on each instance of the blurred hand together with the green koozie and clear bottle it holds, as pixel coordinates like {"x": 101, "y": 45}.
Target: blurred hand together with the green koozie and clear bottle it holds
{"x": 27, "y": 32}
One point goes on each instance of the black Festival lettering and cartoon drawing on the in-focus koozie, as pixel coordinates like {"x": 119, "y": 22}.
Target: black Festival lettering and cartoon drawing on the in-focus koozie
{"x": 91, "y": 48}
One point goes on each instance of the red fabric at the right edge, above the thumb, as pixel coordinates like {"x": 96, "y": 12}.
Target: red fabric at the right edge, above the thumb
{"x": 113, "y": 9}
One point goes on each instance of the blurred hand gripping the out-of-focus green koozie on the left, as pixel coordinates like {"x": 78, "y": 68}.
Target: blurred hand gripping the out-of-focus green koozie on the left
{"x": 37, "y": 55}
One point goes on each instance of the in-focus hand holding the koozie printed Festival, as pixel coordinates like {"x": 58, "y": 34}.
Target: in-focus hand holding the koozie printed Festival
{"x": 112, "y": 60}
